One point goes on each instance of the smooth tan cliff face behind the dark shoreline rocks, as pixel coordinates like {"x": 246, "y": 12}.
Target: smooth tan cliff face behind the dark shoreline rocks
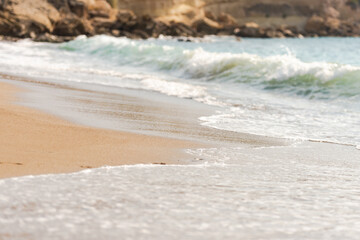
{"x": 266, "y": 13}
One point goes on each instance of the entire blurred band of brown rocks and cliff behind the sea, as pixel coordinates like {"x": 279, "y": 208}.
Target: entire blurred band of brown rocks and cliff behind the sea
{"x": 62, "y": 20}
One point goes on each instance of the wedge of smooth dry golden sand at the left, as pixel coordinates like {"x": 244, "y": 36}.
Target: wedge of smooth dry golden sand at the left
{"x": 32, "y": 142}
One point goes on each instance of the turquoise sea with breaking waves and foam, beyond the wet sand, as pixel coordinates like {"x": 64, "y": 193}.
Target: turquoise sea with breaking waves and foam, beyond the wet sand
{"x": 289, "y": 88}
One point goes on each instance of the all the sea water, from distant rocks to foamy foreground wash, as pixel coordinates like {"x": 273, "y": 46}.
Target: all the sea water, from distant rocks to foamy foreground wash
{"x": 305, "y": 91}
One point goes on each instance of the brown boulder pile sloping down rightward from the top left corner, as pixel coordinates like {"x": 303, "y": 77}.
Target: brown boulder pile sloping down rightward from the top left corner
{"x": 62, "y": 20}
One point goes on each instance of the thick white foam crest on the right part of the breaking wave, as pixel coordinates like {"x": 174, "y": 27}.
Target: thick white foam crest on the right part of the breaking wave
{"x": 280, "y": 67}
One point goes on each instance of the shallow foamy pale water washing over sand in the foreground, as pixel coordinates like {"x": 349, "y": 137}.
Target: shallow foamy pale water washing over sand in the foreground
{"x": 296, "y": 195}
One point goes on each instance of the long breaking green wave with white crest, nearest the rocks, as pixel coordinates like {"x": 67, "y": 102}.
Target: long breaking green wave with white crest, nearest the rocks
{"x": 281, "y": 73}
